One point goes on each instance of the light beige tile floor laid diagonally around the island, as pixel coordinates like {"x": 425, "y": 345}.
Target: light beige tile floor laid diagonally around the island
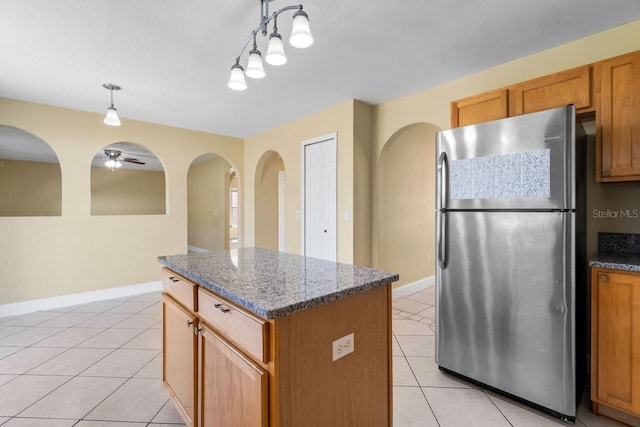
{"x": 99, "y": 364}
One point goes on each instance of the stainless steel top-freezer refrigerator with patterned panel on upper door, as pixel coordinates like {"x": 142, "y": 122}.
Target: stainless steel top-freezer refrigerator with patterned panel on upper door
{"x": 511, "y": 269}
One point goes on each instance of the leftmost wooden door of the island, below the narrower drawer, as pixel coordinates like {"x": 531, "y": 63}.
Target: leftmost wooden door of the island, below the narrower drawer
{"x": 179, "y": 356}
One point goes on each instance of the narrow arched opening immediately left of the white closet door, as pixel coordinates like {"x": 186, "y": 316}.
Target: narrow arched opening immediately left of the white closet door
{"x": 269, "y": 201}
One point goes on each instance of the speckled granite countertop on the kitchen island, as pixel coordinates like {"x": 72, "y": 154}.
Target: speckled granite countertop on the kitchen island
{"x": 274, "y": 284}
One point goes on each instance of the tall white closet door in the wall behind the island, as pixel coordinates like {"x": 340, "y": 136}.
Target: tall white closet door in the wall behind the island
{"x": 320, "y": 195}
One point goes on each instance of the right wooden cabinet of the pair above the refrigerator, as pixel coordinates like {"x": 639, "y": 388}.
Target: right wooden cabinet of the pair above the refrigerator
{"x": 555, "y": 90}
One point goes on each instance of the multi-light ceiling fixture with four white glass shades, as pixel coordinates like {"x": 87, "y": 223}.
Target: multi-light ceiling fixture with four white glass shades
{"x": 300, "y": 38}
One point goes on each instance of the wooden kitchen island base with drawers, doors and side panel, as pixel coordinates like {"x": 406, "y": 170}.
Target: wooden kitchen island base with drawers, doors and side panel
{"x": 226, "y": 367}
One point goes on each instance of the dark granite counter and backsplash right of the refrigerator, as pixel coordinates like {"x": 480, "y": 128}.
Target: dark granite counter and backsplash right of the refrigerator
{"x": 618, "y": 251}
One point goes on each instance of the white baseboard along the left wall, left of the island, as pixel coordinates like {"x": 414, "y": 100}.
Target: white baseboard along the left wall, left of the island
{"x": 75, "y": 299}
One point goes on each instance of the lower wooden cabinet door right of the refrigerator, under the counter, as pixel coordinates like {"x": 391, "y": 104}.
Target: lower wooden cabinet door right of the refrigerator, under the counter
{"x": 618, "y": 340}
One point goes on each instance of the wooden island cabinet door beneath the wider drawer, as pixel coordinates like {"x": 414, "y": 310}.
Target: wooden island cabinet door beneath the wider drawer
{"x": 233, "y": 389}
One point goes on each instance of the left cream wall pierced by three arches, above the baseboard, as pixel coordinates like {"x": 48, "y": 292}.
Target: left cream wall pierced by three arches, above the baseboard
{"x": 76, "y": 252}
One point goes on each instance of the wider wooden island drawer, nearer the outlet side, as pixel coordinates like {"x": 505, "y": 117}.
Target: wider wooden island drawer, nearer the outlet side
{"x": 247, "y": 330}
